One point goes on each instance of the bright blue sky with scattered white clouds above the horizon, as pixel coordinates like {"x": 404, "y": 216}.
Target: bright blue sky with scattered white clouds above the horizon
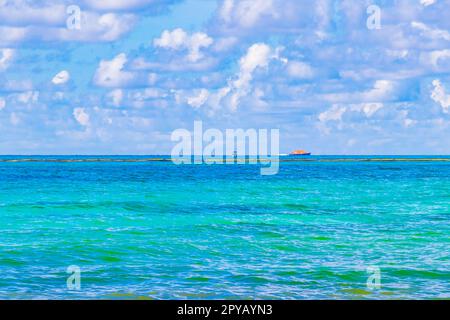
{"x": 332, "y": 75}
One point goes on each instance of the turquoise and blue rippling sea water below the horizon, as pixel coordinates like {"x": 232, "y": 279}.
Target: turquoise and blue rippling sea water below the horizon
{"x": 156, "y": 230}
